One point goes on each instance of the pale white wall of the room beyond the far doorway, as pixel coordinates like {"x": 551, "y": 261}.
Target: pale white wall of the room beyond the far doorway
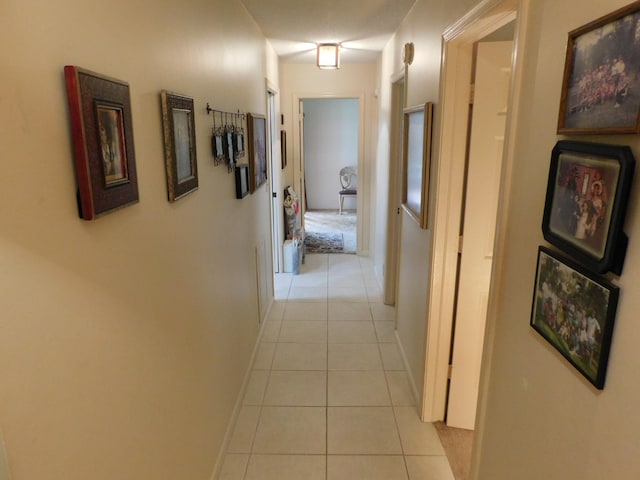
{"x": 330, "y": 143}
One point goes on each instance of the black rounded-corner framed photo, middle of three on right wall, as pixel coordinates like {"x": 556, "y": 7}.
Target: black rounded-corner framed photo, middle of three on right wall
{"x": 586, "y": 202}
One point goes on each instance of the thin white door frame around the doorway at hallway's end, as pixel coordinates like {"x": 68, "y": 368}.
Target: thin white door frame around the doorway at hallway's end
{"x": 362, "y": 205}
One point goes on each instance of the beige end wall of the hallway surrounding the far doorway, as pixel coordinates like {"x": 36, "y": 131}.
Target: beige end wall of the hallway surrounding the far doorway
{"x": 298, "y": 81}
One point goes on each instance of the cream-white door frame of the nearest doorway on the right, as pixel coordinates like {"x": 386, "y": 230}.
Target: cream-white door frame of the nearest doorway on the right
{"x": 450, "y": 143}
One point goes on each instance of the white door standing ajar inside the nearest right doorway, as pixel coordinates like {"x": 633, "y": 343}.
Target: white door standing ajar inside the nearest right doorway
{"x": 493, "y": 62}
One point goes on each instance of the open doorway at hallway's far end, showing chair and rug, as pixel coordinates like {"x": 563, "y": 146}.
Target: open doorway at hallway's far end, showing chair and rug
{"x": 331, "y": 144}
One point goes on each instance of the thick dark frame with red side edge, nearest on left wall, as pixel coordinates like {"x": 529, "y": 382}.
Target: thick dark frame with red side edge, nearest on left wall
{"x": 102, "y": 134}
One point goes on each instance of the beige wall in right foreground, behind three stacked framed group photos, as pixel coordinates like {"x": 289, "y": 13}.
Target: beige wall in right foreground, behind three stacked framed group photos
{"x": 543, "y": 420}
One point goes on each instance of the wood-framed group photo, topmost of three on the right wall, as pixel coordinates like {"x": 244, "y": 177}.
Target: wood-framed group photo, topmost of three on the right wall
{"x": 600, "y": 89}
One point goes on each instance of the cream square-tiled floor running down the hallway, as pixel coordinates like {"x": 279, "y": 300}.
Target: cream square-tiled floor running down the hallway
{"x": 328, "y": 397}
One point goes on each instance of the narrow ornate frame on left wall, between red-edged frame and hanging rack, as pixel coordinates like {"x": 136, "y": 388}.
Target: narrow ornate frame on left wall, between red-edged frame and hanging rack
{"x": 178, "y": 125}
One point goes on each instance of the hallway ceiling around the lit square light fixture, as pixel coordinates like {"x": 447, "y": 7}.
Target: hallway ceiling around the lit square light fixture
{"x": 295, "y": 27}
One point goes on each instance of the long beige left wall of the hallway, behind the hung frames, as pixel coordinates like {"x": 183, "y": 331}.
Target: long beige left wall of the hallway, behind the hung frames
{"x": 124, "y": 341}
